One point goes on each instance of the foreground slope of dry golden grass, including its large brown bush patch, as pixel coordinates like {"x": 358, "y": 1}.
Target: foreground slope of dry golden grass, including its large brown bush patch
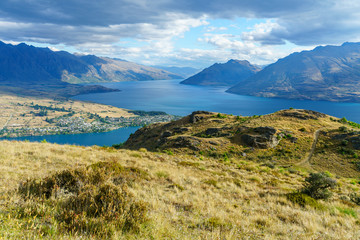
{"x": 164, "y": 196}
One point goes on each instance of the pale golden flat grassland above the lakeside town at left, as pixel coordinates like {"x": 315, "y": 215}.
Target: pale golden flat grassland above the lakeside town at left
{"x": 15, "y": 110}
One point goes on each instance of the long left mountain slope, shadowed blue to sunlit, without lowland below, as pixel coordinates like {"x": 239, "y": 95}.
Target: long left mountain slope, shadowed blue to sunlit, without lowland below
{"x": 23, "y": 63}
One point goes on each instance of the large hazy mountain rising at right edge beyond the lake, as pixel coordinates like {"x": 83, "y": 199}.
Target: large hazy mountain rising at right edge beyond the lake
{"x": 330, "y": 73}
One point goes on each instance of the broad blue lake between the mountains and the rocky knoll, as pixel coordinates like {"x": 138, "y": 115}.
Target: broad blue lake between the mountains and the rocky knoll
{"x": 179, "y": 99}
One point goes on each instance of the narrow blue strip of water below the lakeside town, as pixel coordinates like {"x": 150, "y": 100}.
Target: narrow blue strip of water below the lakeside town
{"x": 85, "y": 139}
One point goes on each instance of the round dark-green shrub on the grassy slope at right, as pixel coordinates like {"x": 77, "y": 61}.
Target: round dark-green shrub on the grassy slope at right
{"x": 317, "y": 186}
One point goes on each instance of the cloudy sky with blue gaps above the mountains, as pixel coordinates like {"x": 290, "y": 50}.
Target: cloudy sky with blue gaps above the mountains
{"x": 181, "y": 32}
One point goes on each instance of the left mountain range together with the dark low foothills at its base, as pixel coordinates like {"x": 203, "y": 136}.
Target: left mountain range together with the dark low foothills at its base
{"x": 31, "y": 70}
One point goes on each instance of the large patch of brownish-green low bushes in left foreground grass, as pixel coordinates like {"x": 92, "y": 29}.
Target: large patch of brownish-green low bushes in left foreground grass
{"x": 92, "y": 201}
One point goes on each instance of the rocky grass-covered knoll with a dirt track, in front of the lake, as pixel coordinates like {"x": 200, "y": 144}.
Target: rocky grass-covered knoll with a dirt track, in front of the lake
{"x": 288, "y": 138}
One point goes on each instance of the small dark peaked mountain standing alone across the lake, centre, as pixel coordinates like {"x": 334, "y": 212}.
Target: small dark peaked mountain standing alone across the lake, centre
{"x": 223, "y": 74}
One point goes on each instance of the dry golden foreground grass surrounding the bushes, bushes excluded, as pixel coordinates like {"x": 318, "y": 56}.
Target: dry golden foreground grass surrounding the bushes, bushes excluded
{"x": 189, "y": 197}
